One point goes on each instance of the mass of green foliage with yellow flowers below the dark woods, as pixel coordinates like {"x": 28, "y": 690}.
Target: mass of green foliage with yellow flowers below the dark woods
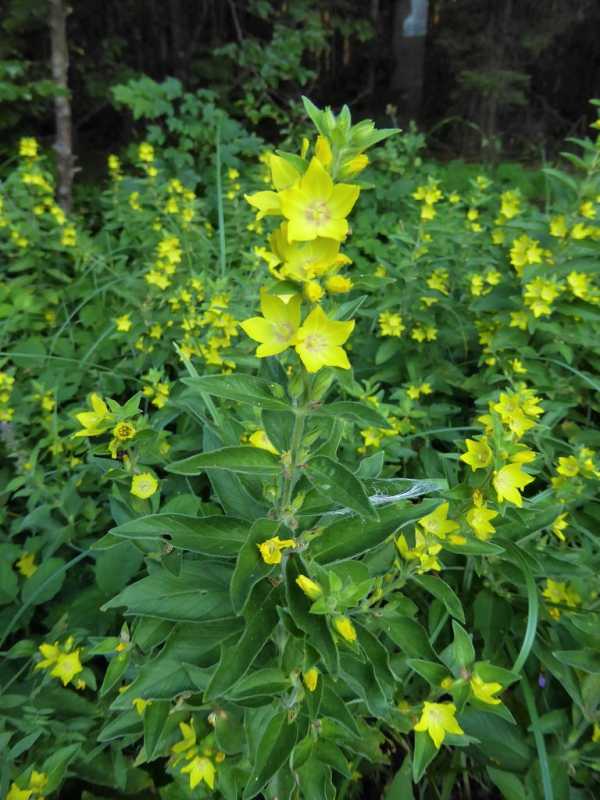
{"x": 223, "y": 569}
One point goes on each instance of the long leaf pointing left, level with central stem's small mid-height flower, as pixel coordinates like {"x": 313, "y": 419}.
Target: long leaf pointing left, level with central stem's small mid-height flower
{"x": 214, "y": 535}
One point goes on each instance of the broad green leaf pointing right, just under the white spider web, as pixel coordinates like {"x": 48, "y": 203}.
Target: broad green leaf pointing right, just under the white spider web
{"x": 350, "y": 536}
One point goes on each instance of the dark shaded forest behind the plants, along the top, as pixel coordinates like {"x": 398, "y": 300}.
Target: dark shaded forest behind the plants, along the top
{"x": 482, "y": 77}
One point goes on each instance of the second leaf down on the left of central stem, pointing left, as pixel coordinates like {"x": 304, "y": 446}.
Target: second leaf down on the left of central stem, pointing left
{"x": 243, "y": 459}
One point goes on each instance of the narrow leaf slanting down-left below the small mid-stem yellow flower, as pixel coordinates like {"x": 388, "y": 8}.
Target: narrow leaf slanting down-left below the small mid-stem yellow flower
{"x": 235, "y": 661}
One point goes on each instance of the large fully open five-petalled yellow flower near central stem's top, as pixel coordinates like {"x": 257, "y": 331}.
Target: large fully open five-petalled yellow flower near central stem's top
{"x": 316, "y": 207}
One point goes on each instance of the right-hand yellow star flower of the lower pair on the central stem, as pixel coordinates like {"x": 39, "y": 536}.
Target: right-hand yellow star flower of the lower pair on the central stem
{"x": 319, "y": 341}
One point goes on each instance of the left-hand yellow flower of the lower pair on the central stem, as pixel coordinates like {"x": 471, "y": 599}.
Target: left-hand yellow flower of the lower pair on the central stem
{"x": 276, "y": 330}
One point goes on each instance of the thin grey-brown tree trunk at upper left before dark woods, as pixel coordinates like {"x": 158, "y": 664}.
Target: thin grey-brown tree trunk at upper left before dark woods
{"x": 63, "y": 143}
